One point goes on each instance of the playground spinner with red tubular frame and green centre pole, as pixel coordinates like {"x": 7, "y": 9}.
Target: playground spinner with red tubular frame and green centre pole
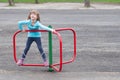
{"x": 51, "y": 65}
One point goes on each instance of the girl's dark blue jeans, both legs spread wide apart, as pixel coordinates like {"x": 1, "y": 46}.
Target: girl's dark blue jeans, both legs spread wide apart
{"x": 39, "y": 45}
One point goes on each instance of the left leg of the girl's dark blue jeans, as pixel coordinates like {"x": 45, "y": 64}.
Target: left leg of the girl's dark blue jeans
{"x": 28, "y": 44}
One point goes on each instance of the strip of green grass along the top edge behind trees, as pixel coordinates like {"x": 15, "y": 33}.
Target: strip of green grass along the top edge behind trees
{"x": 44, "y": 1}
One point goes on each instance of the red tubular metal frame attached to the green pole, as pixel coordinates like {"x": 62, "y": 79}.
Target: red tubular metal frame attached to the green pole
{"x": 60, "y": 46}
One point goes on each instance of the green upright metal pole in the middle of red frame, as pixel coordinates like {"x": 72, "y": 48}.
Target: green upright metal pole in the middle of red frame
{"x": 50, "y": 49}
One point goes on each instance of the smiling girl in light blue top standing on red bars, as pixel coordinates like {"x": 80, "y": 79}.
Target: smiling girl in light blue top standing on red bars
{"x": 33, "y": 23}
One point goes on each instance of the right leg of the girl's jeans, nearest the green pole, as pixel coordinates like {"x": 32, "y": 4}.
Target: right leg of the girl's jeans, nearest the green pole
{"x": 39, "y": 45}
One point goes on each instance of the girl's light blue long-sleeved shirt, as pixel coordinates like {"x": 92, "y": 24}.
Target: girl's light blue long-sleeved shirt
{"x": 36, "y": 26}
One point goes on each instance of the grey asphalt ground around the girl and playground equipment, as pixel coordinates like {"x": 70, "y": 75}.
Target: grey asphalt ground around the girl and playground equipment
{"x": 98, "y": 54}
